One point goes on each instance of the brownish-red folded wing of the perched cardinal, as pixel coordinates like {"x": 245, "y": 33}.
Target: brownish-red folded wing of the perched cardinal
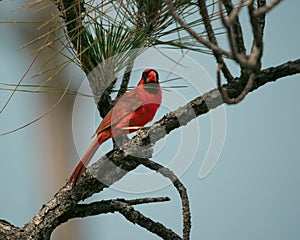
{"x": 127, "y": 104}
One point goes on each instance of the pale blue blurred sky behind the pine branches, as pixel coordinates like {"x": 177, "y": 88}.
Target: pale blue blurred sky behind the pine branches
{"x": 251, "y": 193}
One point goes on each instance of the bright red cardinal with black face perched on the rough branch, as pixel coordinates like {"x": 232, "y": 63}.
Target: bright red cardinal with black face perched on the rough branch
{"x": 131, "y": 112}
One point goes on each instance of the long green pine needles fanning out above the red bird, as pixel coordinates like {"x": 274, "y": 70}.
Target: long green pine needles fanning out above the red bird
{"x": 109, "y": 35}
